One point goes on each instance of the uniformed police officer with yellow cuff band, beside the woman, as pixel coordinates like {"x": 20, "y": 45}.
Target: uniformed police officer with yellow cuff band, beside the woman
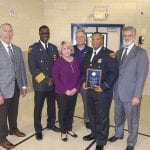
{"x": 40, "y": 58}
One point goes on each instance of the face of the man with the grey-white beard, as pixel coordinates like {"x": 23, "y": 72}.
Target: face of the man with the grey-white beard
{"x": 128, "y": 38}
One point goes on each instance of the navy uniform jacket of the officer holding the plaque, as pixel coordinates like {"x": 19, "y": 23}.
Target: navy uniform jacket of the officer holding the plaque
{"x": 107, "y": 62}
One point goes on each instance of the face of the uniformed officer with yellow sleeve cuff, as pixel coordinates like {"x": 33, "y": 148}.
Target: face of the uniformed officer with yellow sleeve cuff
{"x": 44, "y": 34}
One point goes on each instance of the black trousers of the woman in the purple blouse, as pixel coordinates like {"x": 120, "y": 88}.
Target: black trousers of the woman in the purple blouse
{"x": 66, "y": 108}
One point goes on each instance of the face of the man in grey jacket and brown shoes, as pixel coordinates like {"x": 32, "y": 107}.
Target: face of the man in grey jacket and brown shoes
{"x": 6, "y": 33}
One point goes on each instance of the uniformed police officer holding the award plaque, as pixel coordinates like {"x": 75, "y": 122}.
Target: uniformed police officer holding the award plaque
{"x": 99, "y": 98}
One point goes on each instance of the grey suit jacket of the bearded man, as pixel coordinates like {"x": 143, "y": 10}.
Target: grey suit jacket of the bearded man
{"x": 132, "y": 74}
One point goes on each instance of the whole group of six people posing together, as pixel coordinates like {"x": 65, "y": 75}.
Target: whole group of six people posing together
{"x": 59, "y": 75}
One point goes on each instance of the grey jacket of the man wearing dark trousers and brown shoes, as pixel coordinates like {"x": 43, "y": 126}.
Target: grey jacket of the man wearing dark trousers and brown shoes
{"x": 10, "y": 72}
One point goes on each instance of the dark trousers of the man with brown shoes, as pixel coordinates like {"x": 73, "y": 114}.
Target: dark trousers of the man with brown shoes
{"x": 9, "y": 111}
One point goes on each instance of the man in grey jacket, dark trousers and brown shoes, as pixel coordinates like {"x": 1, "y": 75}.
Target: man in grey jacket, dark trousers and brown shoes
{"x": 12, "y": 82}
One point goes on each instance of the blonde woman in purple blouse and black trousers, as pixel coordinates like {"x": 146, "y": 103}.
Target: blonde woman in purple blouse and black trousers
{"x": 66, "y": 76}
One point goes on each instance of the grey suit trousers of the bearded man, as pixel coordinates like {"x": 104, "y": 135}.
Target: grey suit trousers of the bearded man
{"x": 123, "y": 111}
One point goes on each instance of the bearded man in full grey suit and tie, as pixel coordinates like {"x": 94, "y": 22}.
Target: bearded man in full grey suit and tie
{"x": 133, "y": 68}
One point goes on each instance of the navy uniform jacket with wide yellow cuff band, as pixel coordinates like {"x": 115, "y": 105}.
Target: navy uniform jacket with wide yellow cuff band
{"x": 40, "y": 63}
